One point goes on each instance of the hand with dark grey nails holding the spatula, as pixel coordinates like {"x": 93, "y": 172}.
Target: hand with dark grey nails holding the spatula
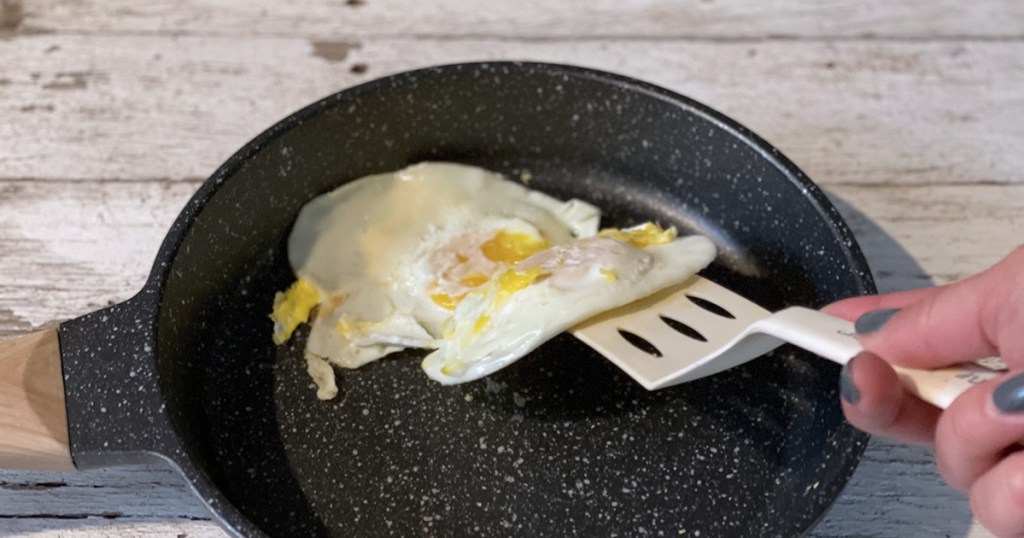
{"x": 977, "y": 441}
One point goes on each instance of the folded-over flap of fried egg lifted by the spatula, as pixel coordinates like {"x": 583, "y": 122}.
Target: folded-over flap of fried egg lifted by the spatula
{"x": 522, "y": 308}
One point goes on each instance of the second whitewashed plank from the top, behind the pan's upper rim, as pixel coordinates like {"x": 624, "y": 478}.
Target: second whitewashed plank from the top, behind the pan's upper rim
{"x": 134, "y": 108}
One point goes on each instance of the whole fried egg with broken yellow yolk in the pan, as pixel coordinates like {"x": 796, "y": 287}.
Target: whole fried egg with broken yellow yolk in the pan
{"x": 459, "y": 260}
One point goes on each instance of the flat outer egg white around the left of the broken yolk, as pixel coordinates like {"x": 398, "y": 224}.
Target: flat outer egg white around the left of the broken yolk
{"x": 355, "y": 242}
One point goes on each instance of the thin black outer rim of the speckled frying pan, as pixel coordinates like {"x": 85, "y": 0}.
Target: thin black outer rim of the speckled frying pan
{"x": 223, "y": 509}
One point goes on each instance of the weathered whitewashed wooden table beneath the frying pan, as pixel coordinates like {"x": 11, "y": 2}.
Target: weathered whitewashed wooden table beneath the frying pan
{"x": 911, "y": 116}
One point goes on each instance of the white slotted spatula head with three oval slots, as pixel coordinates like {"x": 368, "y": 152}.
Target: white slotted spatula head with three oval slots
{"x": 680, "y": 335}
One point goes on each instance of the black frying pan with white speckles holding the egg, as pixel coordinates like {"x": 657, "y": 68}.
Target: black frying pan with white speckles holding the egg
{"x": 560, "y": 444}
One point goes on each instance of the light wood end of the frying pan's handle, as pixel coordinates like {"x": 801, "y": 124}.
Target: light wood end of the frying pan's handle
{"x": 33, "y": 419}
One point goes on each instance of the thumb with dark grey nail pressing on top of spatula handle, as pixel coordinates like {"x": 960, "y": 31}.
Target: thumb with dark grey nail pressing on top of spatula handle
{"x": 974, "y": 319}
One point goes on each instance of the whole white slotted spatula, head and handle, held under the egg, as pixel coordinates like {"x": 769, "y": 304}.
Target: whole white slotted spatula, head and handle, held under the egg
{"x": 702, "y": 328}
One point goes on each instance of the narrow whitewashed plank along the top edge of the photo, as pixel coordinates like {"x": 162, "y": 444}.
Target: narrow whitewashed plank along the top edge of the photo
{"x": 526, "y": 20}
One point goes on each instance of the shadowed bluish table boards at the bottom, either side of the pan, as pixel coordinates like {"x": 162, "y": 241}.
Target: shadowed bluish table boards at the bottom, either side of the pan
{"x": 887, "y": 498}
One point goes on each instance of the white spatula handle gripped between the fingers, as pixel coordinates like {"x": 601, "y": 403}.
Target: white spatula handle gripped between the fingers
{"x": 834, "y": 339}
